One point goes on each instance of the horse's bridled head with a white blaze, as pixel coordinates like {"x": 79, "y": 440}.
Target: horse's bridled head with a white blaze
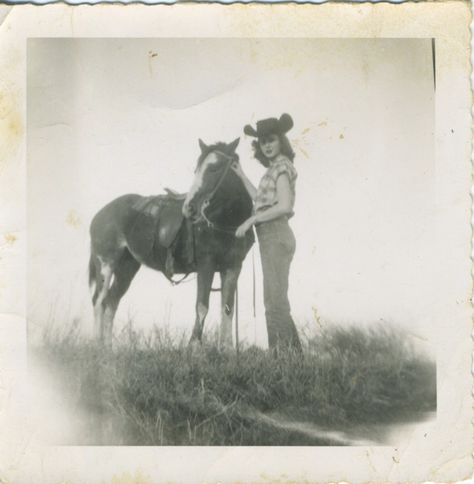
{"x": 212, "y": 166}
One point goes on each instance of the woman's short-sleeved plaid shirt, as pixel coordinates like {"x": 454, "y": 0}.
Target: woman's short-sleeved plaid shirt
{"x": 267, "y": 192}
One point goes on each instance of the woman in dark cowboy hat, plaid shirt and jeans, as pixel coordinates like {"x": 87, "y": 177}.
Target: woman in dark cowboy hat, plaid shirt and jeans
{"x": 273, "y": 206}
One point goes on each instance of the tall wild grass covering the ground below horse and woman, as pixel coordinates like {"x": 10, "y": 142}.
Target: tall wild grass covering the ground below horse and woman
{"x": 151, "y": 391}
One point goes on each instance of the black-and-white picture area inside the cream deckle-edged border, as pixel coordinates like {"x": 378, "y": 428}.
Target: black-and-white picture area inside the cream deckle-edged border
{"x": 231, "y": 242}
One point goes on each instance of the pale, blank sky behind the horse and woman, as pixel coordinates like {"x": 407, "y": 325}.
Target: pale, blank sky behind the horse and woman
{"x": 113, "y": 116}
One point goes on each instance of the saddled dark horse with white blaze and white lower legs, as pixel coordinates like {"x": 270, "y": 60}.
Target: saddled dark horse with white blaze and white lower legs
{"x": 197, "y": 229}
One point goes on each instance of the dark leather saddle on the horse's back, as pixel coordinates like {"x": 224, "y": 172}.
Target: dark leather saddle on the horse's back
{"x": 162, "y": 219}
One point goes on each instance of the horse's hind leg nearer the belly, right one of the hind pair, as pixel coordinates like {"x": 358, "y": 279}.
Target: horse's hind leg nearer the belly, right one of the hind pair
{"x": 123, "y": 275}
